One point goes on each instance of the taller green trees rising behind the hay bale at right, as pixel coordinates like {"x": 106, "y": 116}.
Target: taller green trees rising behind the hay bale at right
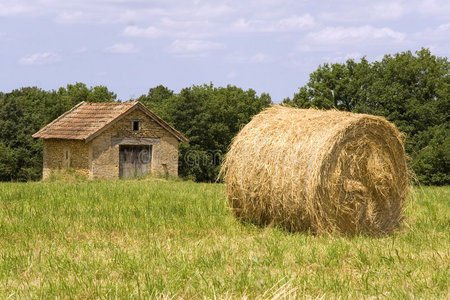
{"x": 412, "y": 91}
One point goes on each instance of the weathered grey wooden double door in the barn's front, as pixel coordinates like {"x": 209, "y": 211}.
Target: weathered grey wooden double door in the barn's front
{"x": 134, "y": 160}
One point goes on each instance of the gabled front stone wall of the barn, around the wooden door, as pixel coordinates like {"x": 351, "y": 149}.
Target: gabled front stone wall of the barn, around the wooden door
{"x": 105, "y": 155}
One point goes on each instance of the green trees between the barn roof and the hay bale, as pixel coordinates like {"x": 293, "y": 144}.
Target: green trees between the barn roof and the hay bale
{"x": 209, "y": 117}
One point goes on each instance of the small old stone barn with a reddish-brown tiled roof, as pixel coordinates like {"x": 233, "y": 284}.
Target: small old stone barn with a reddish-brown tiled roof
{"x": 110, "y": 140}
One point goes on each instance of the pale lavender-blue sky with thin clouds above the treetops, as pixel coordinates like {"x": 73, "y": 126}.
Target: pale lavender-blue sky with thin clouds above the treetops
{"x": 268, "y": 45}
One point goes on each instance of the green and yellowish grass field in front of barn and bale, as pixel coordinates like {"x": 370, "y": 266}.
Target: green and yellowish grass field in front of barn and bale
{"x": 133, "y": 239}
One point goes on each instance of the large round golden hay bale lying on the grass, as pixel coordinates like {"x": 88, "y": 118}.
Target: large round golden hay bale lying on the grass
{"x": 324, "y": 171}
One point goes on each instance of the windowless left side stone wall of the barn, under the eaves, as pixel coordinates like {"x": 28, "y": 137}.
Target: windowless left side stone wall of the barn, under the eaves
{"x": 64, "y": 154}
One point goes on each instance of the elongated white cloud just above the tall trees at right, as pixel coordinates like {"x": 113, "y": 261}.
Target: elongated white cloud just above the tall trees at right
{"x": 333, "y": 35}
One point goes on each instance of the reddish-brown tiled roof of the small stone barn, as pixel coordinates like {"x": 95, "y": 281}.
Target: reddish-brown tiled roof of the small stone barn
{"x": 86, "y": 120}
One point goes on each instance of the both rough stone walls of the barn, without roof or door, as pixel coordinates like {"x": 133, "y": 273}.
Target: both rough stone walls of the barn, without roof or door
{"x": 99, "y": 158}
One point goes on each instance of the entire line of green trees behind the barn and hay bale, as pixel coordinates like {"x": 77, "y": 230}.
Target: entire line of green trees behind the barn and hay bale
{"x": 410, "y": 90}
